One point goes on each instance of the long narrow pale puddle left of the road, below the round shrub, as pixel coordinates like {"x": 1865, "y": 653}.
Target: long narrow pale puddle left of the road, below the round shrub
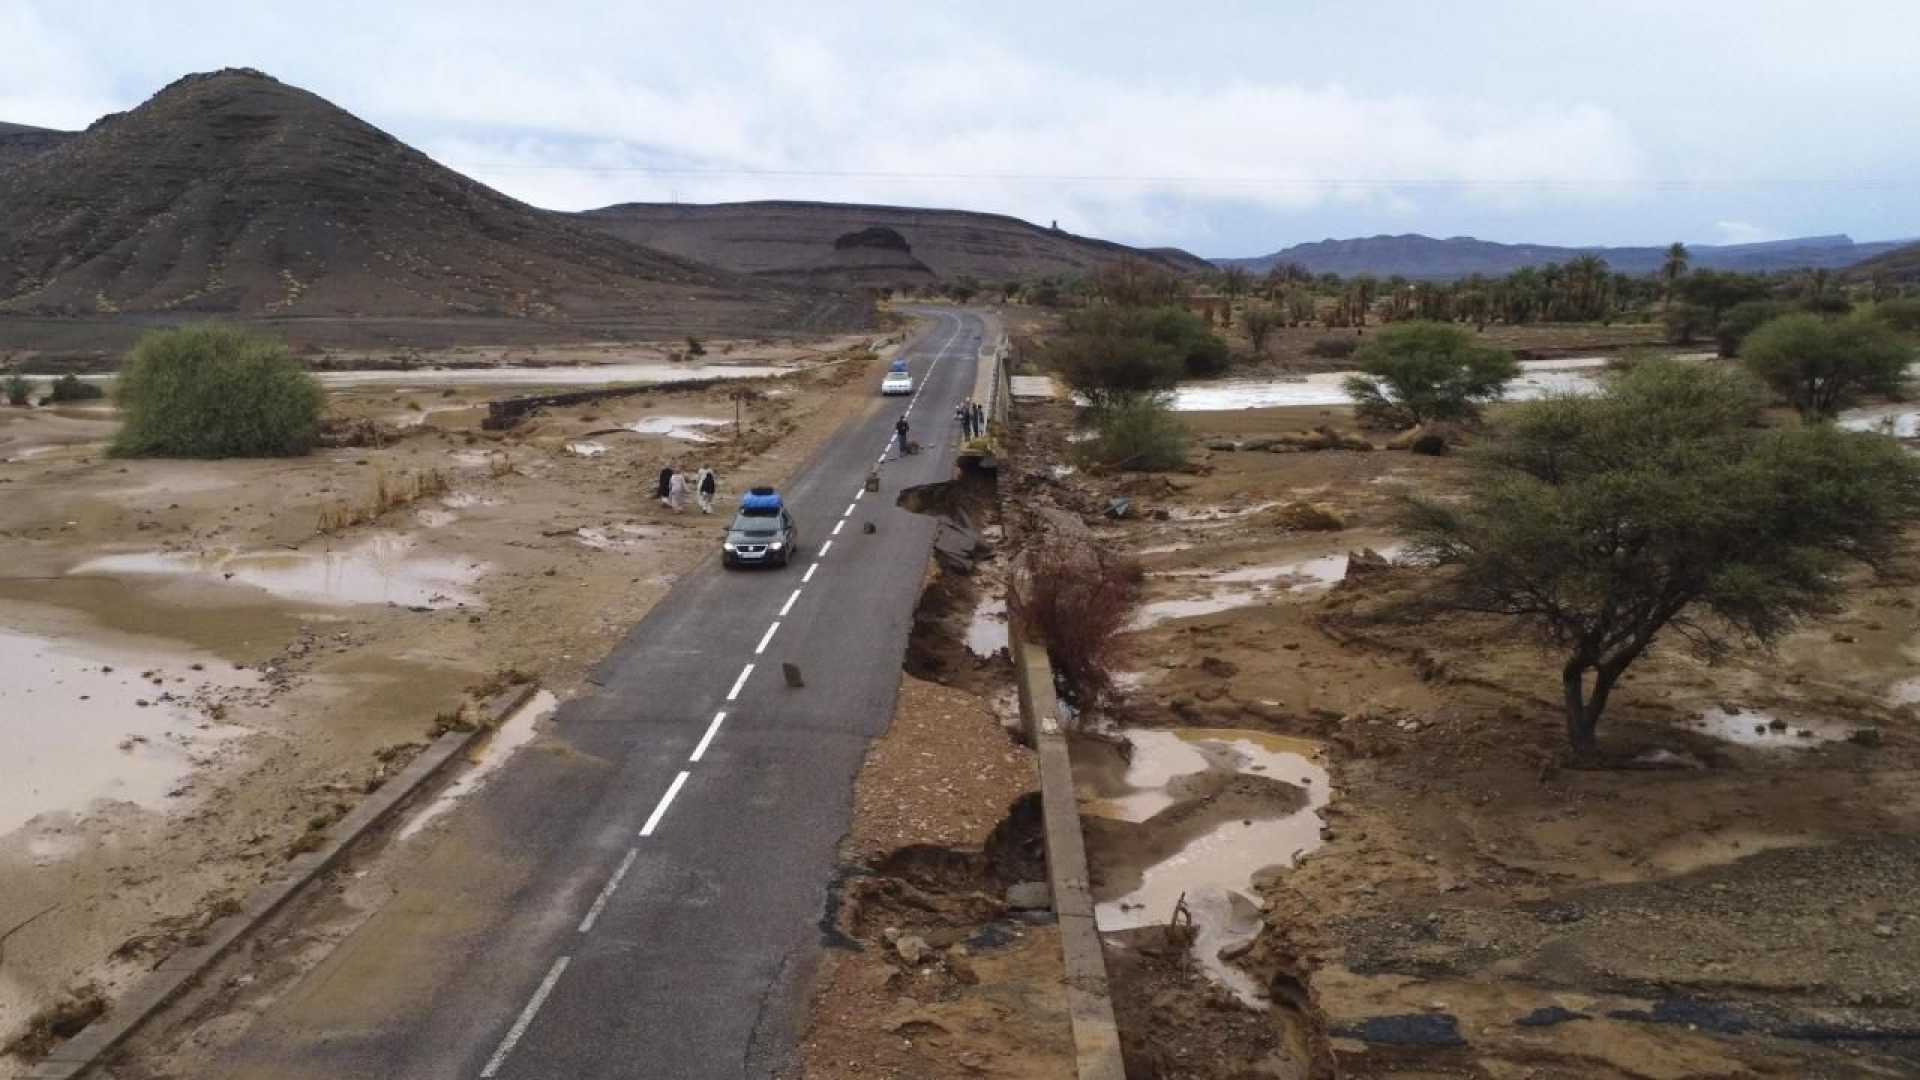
{"x": 381, "y": 570}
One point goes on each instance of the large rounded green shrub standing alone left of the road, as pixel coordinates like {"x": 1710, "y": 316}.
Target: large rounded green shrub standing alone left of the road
{"x": 216, "y": 391}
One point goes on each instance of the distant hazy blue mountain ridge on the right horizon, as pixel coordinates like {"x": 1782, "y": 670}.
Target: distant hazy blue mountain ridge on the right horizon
{"x": 1460, "y": 257}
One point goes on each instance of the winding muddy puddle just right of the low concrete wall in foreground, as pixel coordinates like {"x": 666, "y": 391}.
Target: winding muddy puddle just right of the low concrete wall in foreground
{"x": 1216, "y": 871}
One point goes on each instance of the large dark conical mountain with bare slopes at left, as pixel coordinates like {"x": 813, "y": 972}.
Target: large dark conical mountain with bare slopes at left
{"x": 233, "y": 193}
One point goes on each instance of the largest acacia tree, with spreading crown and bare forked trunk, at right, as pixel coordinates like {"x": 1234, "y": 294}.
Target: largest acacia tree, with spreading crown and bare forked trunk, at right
{"x": 1660, "y": 506}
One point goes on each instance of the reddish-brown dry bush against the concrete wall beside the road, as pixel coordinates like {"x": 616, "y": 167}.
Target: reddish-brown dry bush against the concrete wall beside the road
{"x": 1078, "y": 601}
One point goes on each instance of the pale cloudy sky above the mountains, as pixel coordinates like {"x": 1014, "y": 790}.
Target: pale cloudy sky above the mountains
{"x": 1230, "y": 128}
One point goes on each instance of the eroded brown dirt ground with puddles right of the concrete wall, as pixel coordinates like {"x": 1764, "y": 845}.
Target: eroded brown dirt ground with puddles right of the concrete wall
{"x": 1733, "y": 898}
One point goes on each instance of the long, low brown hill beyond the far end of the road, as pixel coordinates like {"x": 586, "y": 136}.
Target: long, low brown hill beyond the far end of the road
{"x": 853, "y": 245}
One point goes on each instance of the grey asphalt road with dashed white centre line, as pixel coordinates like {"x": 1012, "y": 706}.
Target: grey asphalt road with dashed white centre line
{"x": 642, "y": 891}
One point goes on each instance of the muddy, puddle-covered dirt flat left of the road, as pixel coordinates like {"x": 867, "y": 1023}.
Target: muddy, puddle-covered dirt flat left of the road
{"x": 204, "y": 664}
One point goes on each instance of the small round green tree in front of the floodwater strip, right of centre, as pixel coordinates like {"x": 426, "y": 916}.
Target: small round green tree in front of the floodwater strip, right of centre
{"x": 1428, "y": 372}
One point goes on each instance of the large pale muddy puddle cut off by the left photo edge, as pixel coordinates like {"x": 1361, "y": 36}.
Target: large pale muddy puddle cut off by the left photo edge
{"x": 82, "y": 724}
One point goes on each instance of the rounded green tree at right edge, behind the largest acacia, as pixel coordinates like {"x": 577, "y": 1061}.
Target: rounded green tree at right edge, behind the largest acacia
{"x": 1823, "y": 364}
